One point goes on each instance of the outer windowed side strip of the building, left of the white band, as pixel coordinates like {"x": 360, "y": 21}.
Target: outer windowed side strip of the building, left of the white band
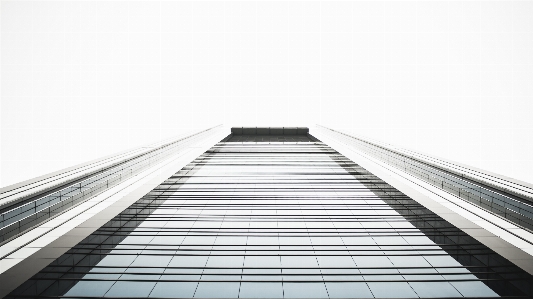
{"x": 24, "y": 207}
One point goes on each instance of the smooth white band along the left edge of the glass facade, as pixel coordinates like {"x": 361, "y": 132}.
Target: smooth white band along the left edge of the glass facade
{"x": 29, "y": 253}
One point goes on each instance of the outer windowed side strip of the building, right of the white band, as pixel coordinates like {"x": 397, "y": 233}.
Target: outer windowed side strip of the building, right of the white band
{"x": 500, "y": 196}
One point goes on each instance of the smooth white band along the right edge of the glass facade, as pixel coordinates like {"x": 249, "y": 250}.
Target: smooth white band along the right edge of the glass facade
{"x": 513, "y": 242}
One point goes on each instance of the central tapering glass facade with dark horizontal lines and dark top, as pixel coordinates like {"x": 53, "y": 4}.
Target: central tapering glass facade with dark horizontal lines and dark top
{"x": 273, "y": 213}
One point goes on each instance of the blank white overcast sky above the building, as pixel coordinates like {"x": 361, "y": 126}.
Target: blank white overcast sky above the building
{"x": 83, "y": 79}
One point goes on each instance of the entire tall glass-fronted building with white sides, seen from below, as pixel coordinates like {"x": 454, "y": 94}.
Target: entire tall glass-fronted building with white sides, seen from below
{"x": 267, "y": 213}
